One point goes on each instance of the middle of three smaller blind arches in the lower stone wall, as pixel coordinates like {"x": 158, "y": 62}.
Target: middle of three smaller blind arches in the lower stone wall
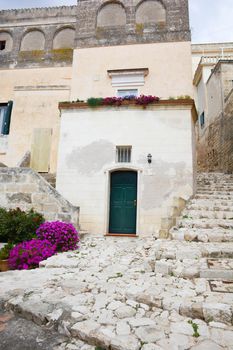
{"x": 33, "y": 40}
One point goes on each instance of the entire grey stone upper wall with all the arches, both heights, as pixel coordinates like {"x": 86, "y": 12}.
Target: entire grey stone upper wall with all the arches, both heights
{"x": 46, "y": 36}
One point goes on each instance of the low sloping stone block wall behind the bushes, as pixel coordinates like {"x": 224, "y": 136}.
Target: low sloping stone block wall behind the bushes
{"x": 25, "y": 189}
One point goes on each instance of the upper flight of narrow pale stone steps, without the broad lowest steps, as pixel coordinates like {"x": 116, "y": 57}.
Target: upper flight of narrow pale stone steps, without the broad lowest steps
{"x": 208, "y": 217}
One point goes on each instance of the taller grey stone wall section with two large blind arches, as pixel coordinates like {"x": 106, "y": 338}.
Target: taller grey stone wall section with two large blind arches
{"x": 133, "y": 22}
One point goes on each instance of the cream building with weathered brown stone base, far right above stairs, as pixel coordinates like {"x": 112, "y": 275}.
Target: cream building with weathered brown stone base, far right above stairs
{"x": 213, "y": 88}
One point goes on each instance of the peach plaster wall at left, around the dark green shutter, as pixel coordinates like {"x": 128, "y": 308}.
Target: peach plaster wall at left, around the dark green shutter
{"x": 35, "y": 94}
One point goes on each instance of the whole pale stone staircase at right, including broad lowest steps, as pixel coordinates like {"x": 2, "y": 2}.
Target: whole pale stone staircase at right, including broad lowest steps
{"x": 205, "y": 232}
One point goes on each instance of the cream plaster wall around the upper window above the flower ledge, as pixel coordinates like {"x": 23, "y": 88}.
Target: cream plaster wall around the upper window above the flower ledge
{"x": 167, "y": 77}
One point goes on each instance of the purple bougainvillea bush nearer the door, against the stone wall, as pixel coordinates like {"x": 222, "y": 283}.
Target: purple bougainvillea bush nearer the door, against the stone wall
{"x": 62, "y": 234}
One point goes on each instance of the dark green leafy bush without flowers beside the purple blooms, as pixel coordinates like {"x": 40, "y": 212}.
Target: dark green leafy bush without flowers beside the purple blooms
{"x": 17, "y": 226}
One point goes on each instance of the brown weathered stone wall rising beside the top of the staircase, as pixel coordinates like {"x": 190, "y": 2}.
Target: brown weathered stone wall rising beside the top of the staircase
{"x": 215, "y": 147}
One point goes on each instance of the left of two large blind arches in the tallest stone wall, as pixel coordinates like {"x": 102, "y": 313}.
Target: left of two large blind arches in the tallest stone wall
{"x": 111, "y": 14}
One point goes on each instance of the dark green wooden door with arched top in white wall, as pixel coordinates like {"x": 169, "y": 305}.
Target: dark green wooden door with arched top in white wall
{"x": 123, "y": 202}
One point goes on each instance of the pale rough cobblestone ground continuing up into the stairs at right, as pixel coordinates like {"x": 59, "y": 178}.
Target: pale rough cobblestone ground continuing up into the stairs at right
{"x": 139, "y": 294}
